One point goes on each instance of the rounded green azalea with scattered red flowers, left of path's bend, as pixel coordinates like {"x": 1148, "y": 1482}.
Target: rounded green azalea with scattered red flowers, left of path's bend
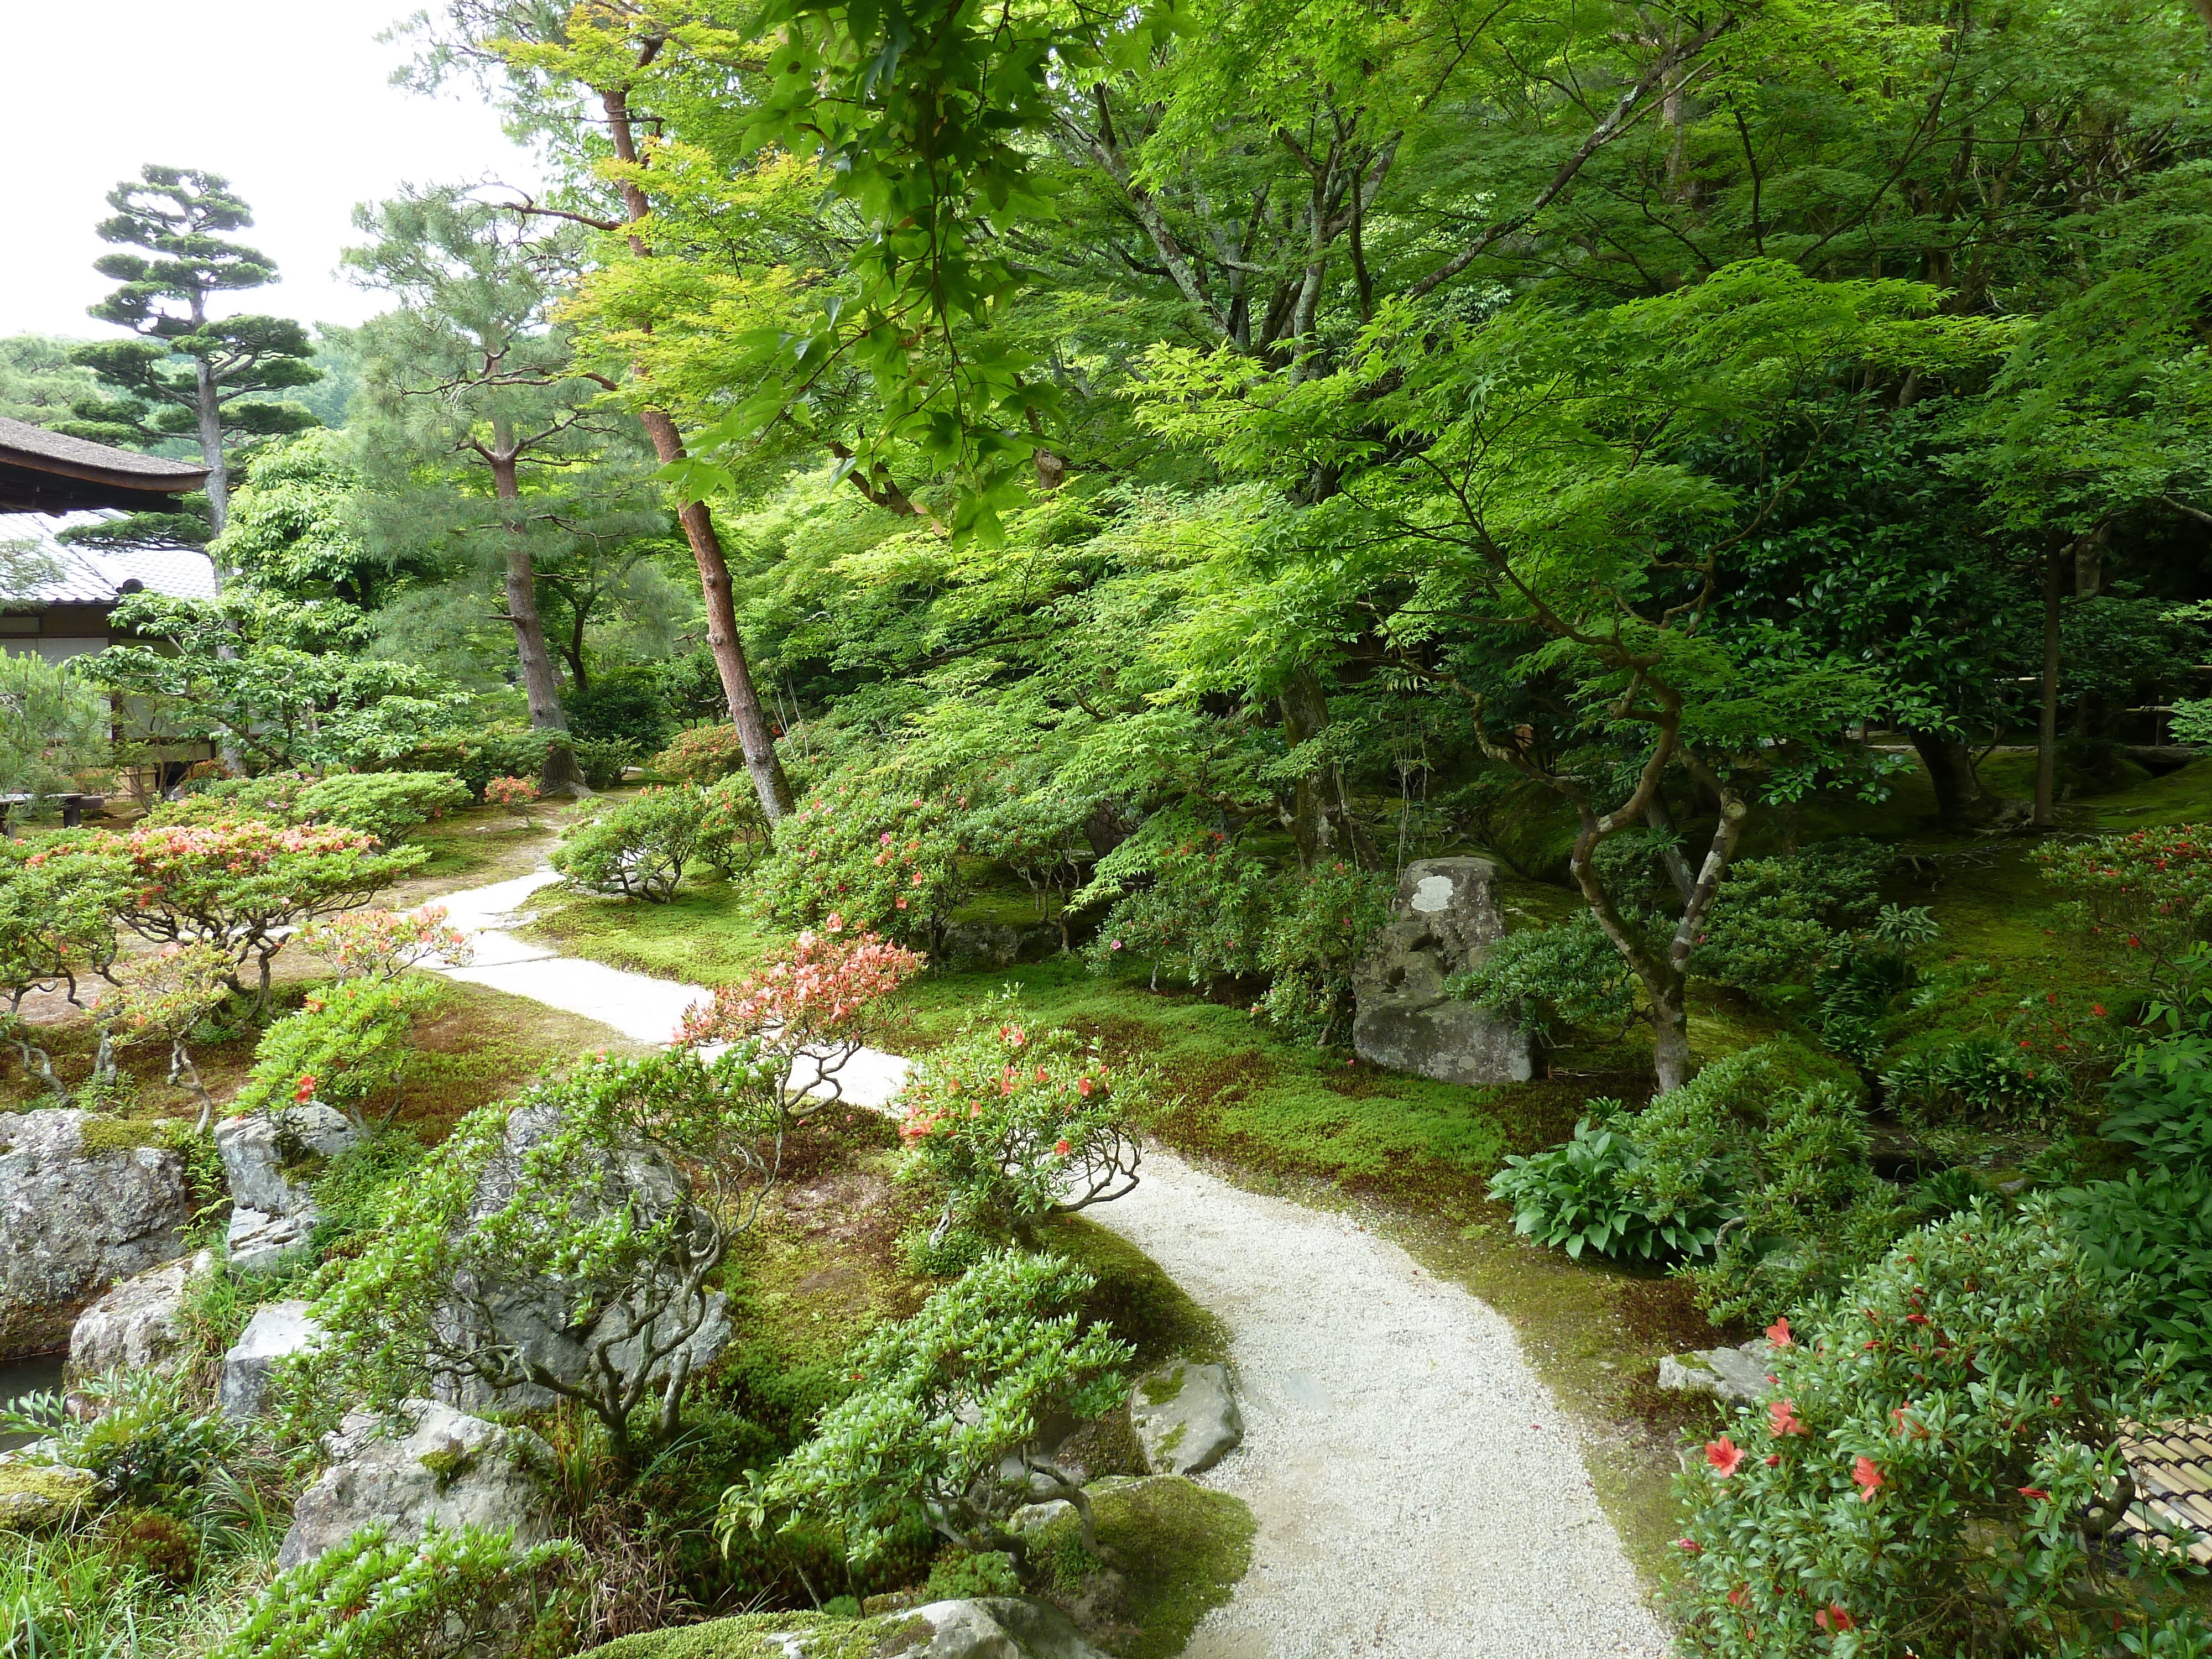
{"x": 1016, "y": 1125}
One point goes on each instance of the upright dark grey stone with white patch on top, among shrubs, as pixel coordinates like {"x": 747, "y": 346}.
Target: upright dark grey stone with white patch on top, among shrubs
{"x": 1443, "y": 921}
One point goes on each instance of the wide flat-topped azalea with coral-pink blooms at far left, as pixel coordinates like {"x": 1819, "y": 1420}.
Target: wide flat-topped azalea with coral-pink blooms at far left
{"x": 244, "y": 886}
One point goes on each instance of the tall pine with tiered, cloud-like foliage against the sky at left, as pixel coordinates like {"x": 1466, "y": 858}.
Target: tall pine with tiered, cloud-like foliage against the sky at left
{"x": 189, "y": 375}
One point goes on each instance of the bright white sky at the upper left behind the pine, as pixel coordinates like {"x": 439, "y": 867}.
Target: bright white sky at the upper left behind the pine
{"x": 286, "y": 98}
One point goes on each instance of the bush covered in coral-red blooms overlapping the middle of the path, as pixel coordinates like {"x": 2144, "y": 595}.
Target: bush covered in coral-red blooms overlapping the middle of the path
{"x": 808, "y": 1010}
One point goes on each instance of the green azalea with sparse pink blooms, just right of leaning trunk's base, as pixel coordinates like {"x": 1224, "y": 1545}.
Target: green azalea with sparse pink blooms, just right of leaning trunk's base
{"x": 866, "y": 857}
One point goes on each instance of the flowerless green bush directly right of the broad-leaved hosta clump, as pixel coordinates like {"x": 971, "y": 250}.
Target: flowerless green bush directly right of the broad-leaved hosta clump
{"x": 1777, "y": 1136}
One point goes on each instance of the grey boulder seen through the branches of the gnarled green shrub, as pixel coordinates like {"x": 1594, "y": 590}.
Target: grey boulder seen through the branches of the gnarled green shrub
{"x": 536, "y": 1317}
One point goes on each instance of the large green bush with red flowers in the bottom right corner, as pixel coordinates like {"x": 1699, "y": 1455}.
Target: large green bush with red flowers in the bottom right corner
{"x": 1937, "y": 1468}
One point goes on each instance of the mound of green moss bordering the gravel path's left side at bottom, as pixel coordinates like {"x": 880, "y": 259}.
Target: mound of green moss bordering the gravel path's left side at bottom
{"x": 1182, "y": 1552}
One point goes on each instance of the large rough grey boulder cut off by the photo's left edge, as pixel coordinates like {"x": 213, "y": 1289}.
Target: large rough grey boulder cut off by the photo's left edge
{"x": 81, "y": 1207}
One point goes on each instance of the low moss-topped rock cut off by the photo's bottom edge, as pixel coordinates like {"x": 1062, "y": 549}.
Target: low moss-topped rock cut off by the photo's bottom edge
{"x": 992, "y": 1627}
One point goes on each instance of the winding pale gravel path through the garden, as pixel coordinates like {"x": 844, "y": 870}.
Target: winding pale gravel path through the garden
{"x": 1417, "y": 1488}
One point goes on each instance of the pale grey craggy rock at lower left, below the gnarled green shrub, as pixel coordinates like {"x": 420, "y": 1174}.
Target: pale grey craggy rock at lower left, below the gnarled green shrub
{"x": 428, "y": 1465}
